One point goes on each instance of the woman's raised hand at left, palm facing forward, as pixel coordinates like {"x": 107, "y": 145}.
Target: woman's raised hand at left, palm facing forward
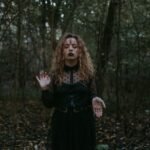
{"x": 43, "y": 80}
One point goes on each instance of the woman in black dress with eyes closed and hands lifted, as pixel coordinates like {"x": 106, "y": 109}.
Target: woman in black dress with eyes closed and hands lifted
{"x": 70, "y": 89}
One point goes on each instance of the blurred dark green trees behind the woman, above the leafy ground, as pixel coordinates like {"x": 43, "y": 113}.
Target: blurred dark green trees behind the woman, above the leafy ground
{"x": 116, "y": 32}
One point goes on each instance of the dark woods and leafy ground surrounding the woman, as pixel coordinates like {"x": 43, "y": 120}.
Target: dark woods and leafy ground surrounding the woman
{"x": 117, "y": 34}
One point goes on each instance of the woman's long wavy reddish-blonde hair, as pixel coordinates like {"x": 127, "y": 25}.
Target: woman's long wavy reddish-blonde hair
{"x": 86, "y": 68}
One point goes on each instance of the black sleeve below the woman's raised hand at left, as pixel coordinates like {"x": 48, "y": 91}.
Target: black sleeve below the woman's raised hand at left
{"x": 48, "y": 95}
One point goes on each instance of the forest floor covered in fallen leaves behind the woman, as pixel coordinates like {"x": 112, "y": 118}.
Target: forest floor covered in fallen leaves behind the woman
{"x": 25, "y": 126}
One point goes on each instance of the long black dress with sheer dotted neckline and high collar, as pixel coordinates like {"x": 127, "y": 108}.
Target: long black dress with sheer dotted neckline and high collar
{"x": 73, "y": 121}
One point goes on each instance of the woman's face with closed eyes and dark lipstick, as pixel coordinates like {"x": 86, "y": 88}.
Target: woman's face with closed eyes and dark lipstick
{"x": 70, "y": 49}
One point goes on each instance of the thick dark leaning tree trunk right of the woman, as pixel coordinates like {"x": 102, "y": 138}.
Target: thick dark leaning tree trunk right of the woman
{"x": 104, "y": 45}
